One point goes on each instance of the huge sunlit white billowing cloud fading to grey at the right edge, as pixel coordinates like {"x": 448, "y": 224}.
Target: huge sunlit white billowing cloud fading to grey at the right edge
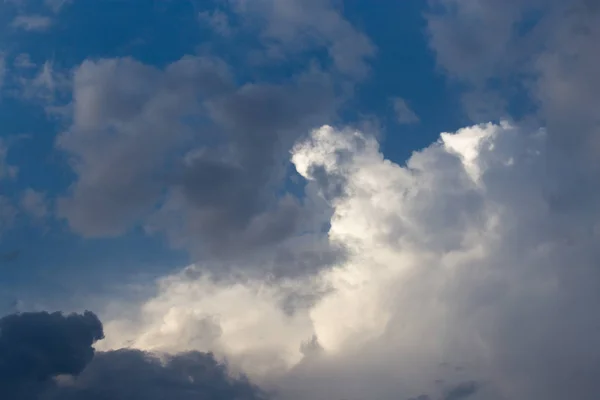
{"x": 458, "y": 269}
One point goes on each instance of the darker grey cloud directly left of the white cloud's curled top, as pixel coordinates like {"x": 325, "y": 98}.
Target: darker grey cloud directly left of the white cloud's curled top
{"x": 226, "y": 198}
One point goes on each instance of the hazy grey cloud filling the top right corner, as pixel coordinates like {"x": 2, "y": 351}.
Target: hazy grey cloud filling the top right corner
{"x": 534, "y": 53}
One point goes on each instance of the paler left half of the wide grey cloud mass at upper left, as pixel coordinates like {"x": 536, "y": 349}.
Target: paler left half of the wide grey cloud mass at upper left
{"x": 131, "y": 113}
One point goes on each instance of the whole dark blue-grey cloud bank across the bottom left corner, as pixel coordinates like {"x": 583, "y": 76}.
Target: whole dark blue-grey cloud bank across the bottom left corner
{"x": 50, "y": 356}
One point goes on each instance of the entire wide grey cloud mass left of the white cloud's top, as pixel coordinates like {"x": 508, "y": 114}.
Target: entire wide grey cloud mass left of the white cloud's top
{"x": 191, "y": 155}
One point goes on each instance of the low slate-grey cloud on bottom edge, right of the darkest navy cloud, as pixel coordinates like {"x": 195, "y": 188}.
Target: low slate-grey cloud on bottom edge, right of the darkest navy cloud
{"x": 132, "y": 374}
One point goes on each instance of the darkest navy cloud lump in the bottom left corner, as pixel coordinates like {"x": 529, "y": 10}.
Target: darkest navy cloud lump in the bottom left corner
{"x": 35, "y": 347}
